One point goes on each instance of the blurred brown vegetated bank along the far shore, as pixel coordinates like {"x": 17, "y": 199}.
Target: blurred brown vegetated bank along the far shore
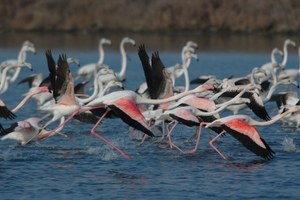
{"x": 151, "y": 16}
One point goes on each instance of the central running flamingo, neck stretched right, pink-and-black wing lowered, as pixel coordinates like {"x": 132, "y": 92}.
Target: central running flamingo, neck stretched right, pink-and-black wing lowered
{"x": 123, "y": 104}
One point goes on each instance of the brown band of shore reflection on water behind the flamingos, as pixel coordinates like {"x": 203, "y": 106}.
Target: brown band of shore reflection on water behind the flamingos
{"x": 207, "y": 42}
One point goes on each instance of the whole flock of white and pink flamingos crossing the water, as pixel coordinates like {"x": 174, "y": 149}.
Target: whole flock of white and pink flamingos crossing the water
{"x": 158, "y": 102}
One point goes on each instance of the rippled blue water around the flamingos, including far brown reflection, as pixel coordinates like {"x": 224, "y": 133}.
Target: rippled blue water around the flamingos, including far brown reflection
{"x": 86, "y": 168}
